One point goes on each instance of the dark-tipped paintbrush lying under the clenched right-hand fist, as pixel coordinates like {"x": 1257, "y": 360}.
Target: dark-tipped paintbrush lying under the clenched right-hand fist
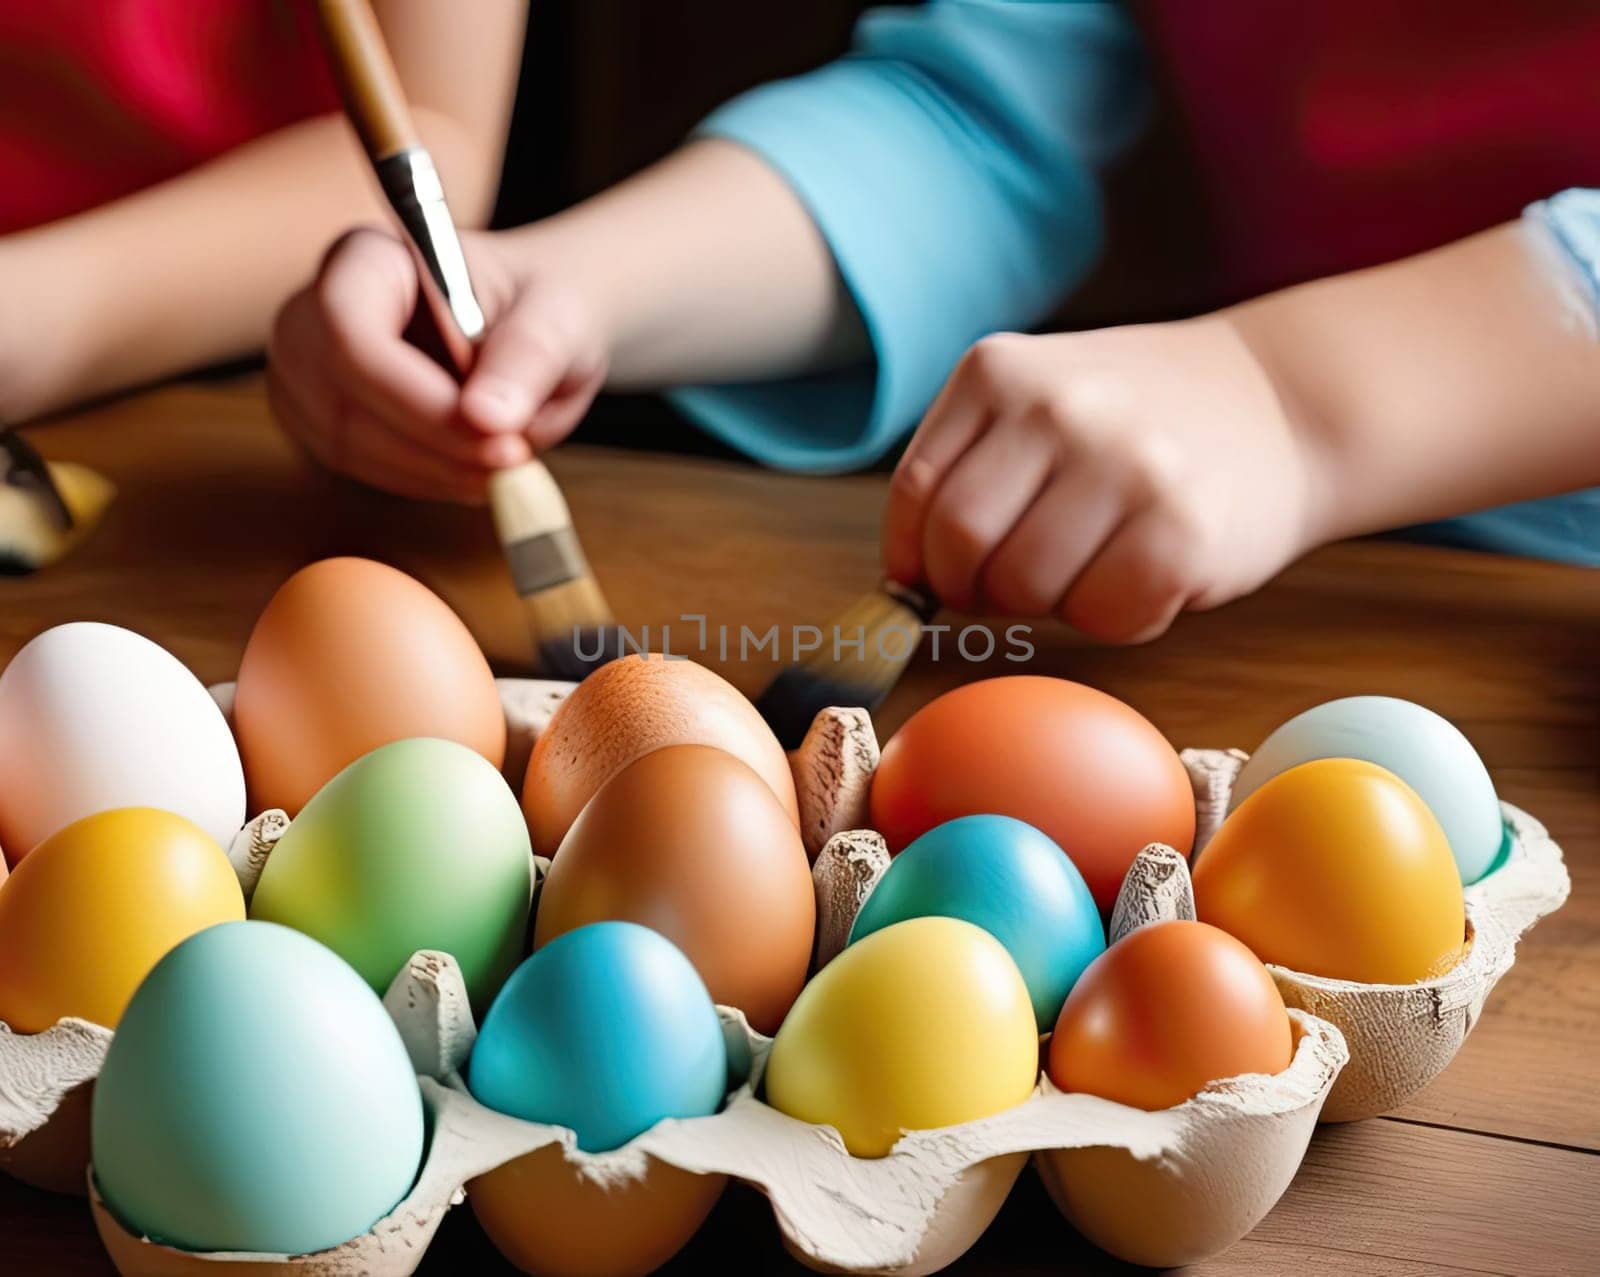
{"x": 841, "y": 673}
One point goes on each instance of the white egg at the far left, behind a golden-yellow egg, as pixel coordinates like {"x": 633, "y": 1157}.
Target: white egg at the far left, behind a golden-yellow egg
{"x": 95, "y": 718}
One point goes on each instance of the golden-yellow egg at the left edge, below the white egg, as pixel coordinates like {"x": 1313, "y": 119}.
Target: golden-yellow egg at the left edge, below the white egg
{"x": 95, "y": 907}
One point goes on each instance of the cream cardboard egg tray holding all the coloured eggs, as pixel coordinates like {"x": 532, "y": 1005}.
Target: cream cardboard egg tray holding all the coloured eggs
{"x": 1153, "y": 1188}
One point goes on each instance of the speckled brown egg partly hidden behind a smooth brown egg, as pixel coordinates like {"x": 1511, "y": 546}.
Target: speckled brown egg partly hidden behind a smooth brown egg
{"x": 622, "y": 713}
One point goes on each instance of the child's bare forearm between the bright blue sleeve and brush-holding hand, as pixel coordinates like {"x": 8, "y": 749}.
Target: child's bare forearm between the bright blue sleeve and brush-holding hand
{"x": 703, "y": 268}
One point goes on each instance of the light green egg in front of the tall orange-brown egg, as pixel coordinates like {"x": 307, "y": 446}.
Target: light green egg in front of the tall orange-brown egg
{"x": 417, "y": 846}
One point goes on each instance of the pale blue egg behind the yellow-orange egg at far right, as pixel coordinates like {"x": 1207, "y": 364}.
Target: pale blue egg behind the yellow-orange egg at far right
{"x": 1420, "y": 747}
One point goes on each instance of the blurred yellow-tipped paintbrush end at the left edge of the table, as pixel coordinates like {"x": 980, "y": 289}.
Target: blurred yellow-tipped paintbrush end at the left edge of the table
{"x": 46, "y": 508}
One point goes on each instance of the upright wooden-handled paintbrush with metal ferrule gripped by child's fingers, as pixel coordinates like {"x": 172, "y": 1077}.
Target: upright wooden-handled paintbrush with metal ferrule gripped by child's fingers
{"x": 567, "y": 614}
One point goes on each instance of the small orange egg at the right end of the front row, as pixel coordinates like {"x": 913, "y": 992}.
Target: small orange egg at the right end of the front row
{"x": 1167, "y": 1011}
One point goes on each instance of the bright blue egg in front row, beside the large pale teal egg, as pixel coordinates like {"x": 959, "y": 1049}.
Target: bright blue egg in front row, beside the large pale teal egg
{"x": 606, "y": 1030}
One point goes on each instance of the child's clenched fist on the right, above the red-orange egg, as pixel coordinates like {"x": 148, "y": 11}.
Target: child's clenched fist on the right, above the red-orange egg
{"x": 1111, "y": 479}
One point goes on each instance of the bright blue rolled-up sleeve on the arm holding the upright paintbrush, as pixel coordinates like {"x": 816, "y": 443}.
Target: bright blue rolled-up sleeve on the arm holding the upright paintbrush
{"x": 950, "y": 162}
